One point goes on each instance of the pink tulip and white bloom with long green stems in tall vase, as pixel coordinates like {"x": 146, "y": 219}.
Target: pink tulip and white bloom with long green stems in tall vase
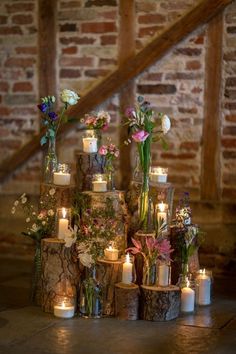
{"x": 145, "y": 127}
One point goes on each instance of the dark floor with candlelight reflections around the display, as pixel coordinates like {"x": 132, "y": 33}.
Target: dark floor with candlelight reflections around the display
{"x": 26, "y": 329}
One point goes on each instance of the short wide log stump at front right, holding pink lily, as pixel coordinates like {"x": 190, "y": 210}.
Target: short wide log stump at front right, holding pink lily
{"x": 159, "y": 303}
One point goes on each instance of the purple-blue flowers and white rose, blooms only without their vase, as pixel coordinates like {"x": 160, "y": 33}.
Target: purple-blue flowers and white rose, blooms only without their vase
{"x": 51, "y": 119}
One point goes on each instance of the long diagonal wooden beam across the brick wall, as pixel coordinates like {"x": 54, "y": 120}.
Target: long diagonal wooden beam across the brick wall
{"x": 156, "y": 49}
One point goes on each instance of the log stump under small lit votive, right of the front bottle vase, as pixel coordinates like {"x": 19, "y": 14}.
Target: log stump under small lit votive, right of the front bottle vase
{"x": 108, "y": 274}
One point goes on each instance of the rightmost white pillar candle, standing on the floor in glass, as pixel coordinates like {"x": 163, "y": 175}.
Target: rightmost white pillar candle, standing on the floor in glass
{"x": 203, "y": 293}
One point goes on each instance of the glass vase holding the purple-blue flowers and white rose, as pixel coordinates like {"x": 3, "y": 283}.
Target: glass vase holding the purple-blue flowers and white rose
{"x": 50, "y": 161}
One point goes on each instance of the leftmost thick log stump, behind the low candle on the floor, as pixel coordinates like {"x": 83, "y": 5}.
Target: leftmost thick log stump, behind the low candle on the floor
{"x": 58, "y": 263}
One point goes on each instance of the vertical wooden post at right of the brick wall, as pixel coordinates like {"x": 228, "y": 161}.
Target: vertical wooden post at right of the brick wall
{"x": 210, "y": 176}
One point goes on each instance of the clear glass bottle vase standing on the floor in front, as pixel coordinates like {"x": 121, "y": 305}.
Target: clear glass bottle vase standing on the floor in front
{"x": 91, "y": 296}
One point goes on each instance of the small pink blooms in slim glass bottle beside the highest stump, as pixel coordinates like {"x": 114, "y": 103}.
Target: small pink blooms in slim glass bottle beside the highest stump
{"x": 110, "y": 152}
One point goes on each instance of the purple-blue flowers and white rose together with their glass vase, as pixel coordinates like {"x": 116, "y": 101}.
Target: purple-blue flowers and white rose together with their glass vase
{"x": 51, "y": 121}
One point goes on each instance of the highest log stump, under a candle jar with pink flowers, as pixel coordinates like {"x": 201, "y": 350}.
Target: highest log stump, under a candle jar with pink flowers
{"x": 87, "y": 165}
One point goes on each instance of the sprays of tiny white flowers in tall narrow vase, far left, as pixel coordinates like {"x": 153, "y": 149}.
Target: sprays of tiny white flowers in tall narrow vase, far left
{"x": 39, "y": 225}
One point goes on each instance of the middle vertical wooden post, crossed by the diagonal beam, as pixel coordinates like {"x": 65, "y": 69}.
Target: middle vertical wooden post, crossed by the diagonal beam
{"x": 127, "y": 48}
